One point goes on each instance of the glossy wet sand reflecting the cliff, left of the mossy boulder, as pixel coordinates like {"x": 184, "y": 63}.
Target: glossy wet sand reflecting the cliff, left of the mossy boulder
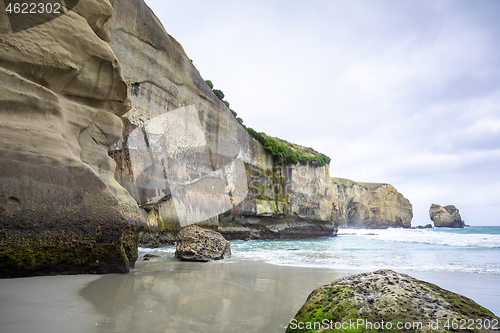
{"x": 172, "y": 296}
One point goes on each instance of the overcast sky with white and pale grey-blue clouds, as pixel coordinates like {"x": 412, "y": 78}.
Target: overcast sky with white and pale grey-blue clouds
{"x": 401, "y": 92}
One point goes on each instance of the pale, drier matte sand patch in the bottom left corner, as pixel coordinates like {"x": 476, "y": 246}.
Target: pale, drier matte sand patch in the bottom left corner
{"x": 46, "y": 304}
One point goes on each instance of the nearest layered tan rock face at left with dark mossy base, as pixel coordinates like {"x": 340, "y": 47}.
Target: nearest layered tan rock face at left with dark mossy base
{"x": 61, "y": 210}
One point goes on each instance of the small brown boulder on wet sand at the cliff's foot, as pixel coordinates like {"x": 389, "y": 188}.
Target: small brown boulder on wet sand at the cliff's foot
{"x": 199, "y": 244}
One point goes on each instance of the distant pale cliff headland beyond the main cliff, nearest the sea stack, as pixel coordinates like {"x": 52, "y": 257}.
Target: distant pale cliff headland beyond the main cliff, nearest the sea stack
{"x": 369, "y": 205}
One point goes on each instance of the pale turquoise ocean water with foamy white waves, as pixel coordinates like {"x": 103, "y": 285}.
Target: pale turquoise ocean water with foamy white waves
{"x": 470, "y": 250}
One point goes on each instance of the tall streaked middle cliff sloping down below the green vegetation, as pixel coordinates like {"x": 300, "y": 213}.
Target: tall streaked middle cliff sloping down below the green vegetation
{"x": 186, "y": 159}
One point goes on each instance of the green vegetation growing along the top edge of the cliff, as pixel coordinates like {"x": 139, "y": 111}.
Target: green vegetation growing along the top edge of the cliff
{"x": 282, "y": 151}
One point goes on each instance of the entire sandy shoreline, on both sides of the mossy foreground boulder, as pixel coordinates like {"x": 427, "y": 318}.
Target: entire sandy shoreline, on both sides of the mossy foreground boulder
{"x": 173, "y": 296}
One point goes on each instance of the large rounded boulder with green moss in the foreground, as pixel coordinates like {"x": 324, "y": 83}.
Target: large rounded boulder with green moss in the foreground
{"x": 387, "y": 301}
